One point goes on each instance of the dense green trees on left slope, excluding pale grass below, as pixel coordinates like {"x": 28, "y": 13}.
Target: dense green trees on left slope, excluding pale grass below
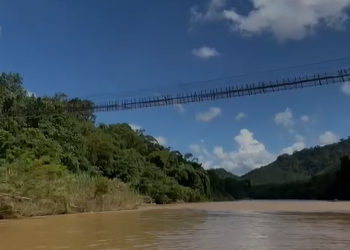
{"x": 62, "y": 131}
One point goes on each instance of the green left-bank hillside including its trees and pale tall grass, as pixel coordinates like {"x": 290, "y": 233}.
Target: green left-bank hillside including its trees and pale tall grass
{"x": 54, "y": 161}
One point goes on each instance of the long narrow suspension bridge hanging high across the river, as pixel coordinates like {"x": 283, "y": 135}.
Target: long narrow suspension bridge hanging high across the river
{"x": 339, "y": 76}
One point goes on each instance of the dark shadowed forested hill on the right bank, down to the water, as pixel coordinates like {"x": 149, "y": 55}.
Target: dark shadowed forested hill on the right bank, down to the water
{"x": 315, "y": 173}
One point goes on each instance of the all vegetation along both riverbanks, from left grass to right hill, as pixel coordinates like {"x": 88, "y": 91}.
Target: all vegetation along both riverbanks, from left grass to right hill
{"x": 55, "y": 162}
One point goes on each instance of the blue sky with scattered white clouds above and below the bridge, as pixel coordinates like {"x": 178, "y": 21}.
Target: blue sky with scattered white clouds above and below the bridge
{"x": 106, "y": 50}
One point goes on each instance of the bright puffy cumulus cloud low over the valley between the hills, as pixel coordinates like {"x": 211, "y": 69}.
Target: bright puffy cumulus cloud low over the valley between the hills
{"x": 250, "y": 154}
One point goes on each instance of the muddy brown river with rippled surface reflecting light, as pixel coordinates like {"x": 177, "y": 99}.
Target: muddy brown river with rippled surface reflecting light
{"x": 251, "y": 225}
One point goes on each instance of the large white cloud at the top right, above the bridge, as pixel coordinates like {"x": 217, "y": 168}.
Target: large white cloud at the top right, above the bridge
{"x": 284, "y": 19}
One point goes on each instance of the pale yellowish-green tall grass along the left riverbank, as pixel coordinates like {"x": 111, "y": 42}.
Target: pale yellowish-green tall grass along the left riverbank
{"x": 38, "y": 188}
